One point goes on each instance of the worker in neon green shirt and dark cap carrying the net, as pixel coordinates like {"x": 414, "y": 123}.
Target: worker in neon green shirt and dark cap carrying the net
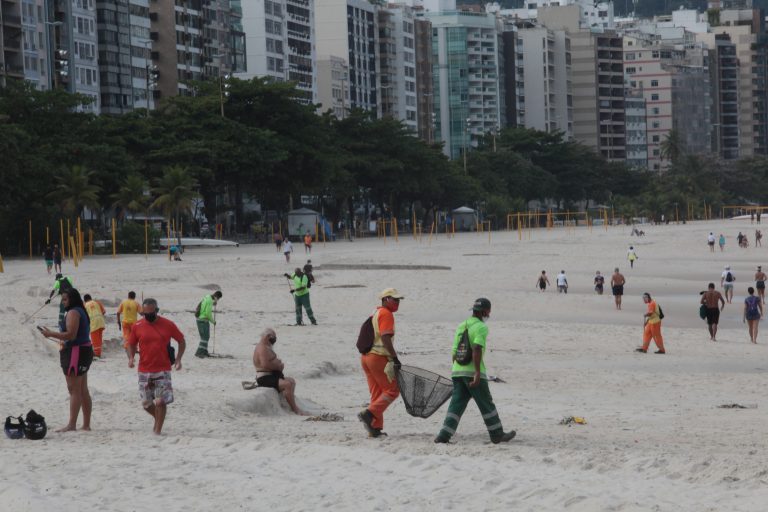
{"x": 470, "y": 381}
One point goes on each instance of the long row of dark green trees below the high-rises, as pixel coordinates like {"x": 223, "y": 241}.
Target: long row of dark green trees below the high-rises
{"x": 58, "y": 159}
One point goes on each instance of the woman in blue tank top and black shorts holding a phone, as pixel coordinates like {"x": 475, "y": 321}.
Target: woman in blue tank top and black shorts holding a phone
{"x": 75, "y": 356}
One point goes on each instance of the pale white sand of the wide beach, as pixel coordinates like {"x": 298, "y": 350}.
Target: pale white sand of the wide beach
{"x": 655, "y": 439}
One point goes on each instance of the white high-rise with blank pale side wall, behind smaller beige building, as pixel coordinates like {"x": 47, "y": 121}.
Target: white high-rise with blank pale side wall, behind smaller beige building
{"x": 346, "y": 29}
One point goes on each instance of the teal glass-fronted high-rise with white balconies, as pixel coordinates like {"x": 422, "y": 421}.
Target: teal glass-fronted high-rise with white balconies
{"x": 468, "y": 78}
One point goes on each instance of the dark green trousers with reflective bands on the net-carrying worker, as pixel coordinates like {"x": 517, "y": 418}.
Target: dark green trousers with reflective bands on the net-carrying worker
{"x": 461, "y": 396}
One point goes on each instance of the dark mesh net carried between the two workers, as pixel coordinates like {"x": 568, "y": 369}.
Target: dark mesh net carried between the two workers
{"x": 423, "y": 392}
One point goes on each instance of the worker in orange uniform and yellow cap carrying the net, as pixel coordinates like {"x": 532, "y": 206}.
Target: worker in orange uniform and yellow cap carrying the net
{"x": 379, "y": 364}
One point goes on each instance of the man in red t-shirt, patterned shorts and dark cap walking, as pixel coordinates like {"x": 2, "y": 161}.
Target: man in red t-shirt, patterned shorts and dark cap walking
{"x": 152, "y": 336}
